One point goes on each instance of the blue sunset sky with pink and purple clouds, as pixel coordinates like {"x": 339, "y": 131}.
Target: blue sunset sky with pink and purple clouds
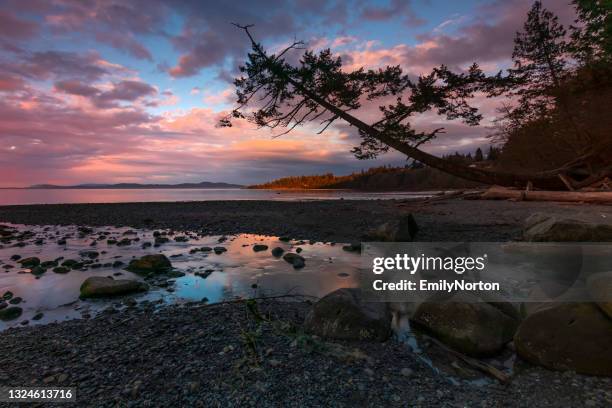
{"x": 109, "y": 91}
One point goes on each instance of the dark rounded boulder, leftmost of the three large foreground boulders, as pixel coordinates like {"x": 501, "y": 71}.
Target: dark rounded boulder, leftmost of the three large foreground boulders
{"x": 344, "y": 314}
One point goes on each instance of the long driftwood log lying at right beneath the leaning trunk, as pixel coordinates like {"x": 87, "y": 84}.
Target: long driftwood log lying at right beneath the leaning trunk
{"x": 501, "y": 193}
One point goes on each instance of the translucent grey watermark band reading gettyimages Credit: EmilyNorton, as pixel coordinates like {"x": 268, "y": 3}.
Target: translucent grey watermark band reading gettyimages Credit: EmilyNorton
{"x": 514, "y": 271}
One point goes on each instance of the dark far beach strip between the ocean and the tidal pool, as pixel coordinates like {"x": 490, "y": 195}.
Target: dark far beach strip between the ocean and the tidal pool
{"x": 334, "y": 220}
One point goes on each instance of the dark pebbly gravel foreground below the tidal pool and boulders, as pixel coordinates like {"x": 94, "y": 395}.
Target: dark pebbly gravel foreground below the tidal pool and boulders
{"x": 220, "y": 355}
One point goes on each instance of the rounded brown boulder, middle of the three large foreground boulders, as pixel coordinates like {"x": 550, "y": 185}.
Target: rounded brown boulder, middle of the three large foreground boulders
{"x": 469, "y": 324}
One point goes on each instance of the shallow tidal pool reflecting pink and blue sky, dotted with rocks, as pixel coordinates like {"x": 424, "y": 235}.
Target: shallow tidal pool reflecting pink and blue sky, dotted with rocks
{"x": 238, "y": 272}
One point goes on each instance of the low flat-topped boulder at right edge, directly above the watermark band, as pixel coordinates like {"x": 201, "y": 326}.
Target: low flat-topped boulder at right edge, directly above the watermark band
{"x": 551, "y": 228}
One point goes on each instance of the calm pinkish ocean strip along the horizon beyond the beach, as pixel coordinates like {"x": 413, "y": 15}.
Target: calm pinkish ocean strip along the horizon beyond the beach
{"x": 65, "y": 196}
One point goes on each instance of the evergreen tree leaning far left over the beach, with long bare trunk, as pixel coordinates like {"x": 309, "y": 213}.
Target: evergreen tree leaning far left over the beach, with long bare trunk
{"x": 274, "y": 93}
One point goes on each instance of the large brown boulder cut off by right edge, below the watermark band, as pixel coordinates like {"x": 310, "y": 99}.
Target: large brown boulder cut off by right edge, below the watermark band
{"x": 571, "y": 336}
